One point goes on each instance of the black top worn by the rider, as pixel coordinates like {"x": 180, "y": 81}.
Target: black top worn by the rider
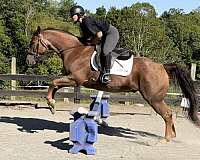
{"x": 90, "y": 27}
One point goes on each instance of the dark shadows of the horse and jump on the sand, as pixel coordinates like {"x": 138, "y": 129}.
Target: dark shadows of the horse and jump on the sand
{"x": 34, "y": 125}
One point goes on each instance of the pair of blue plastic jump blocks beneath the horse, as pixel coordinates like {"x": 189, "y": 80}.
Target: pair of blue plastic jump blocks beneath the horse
{"x": 84, "y": 130}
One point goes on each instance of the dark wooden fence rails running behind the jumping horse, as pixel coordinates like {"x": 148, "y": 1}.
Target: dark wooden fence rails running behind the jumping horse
{"x": 76, "y": 93}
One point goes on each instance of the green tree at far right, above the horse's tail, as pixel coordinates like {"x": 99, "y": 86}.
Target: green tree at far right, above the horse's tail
{"x": 183, "y": 31}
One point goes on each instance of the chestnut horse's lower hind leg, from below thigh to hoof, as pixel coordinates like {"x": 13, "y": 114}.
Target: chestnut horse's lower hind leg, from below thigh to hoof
{"x": 166, "y": 113}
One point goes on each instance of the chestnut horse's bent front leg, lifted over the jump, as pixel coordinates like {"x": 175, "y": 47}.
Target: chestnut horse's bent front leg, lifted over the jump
{"x": 57, "y": 84}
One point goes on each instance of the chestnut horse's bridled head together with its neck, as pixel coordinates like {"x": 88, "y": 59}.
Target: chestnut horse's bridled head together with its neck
{"x": 50, "y": 39}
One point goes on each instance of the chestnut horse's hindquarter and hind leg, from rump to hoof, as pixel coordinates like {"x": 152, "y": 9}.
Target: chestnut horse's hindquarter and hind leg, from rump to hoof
{"x": 154, "y": 83}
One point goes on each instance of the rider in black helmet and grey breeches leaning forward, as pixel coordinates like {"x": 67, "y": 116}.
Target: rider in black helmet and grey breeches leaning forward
{"x": 105, "y": 32}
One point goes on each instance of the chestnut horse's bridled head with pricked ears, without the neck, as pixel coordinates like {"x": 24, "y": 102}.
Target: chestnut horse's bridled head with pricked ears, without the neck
{"x": 38, "y": 46}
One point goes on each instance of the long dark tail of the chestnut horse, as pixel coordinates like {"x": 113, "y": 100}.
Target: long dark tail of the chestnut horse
{"x": 187, "y": 87}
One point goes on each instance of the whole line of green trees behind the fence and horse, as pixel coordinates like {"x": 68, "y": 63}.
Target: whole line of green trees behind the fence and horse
{"x": 172, "y": 37}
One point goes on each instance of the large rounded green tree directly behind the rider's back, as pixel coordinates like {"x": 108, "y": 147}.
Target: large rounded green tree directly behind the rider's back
{"x": 142, "y": 32}
